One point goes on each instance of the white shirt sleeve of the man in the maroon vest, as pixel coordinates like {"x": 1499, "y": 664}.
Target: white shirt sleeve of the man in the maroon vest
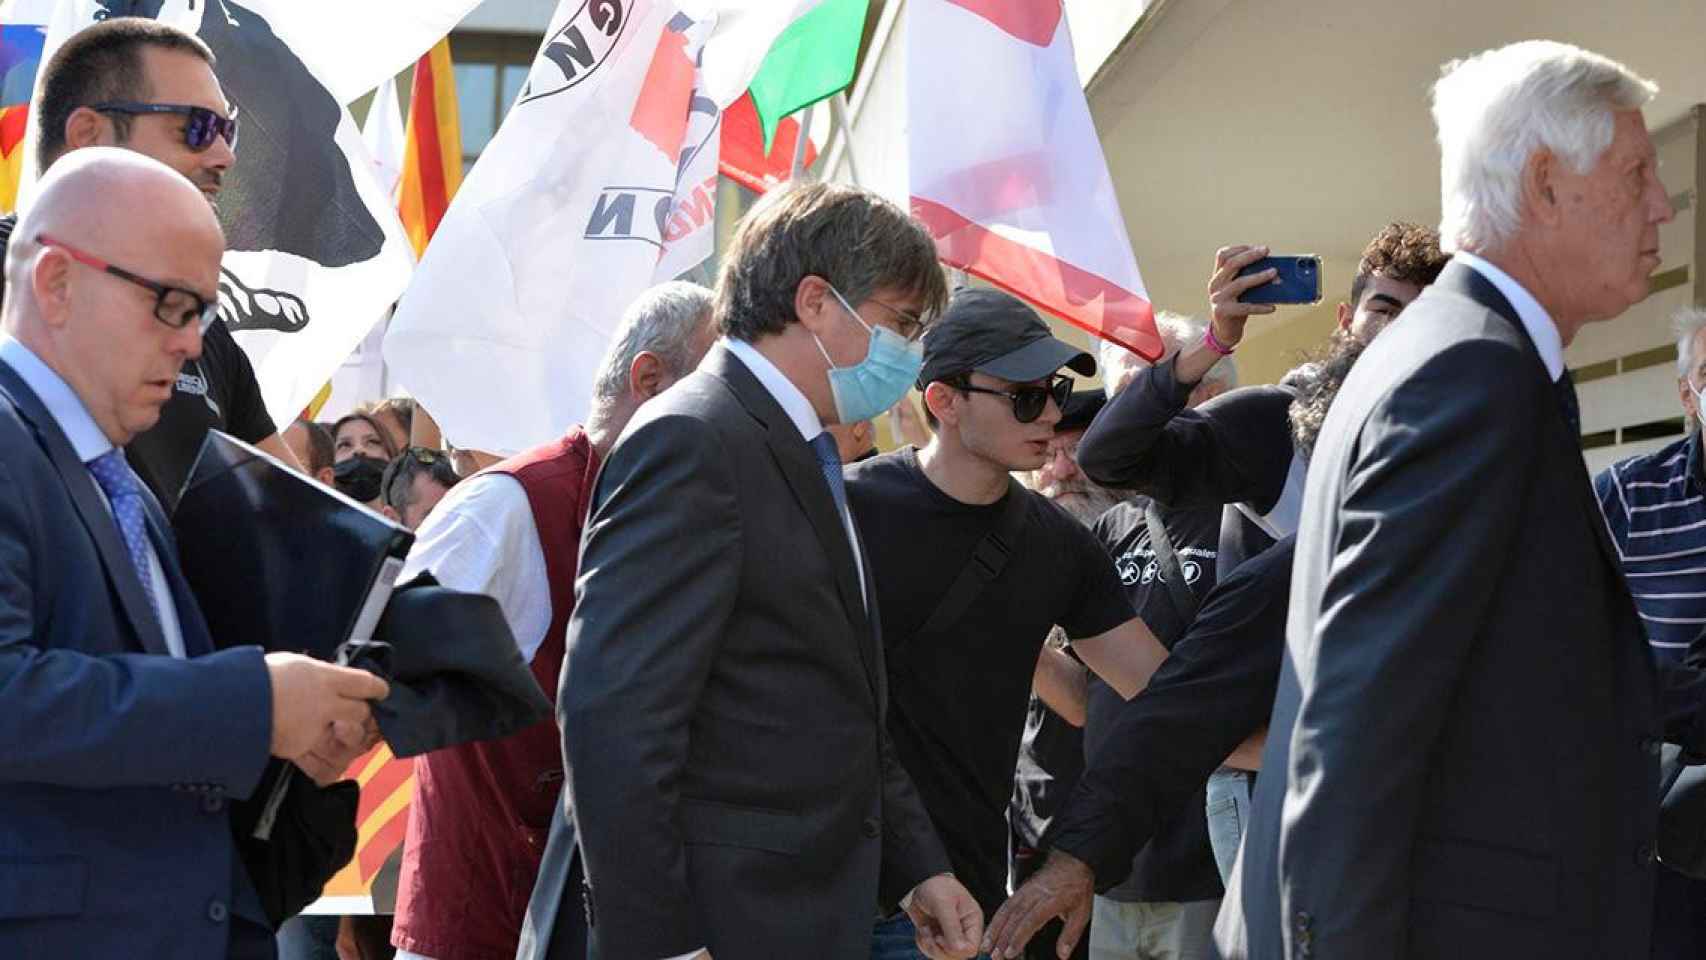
{"x": 482, "y": 540}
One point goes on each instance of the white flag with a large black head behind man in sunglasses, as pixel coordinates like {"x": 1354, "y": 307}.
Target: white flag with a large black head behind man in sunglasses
{"x": 315, "y": 248}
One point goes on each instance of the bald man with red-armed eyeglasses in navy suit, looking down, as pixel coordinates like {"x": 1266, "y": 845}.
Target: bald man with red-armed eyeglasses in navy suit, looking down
{"x": 127, "y": 736}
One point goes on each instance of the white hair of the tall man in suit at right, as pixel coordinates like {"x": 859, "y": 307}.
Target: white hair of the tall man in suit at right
{"x": 1497, "y": 108}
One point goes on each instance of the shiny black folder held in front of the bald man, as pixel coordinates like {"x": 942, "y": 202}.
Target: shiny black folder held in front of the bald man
{"x": 279, "y": 560}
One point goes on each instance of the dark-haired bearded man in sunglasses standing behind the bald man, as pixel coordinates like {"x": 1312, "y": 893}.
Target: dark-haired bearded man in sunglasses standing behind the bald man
{"x": 151, "y": 88}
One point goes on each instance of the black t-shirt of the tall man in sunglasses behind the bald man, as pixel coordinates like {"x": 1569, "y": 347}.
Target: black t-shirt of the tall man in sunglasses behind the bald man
{"x": 214, "y": 393}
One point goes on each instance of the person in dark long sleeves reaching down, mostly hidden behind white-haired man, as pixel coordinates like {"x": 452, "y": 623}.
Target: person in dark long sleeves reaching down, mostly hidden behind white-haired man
{"x": 1205, "y": 707}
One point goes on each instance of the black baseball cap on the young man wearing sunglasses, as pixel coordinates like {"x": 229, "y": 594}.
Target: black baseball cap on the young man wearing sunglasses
{"x": 995, "y": 333}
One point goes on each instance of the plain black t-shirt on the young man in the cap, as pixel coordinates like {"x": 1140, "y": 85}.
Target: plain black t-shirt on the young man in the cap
{"x": 958, "y": 698}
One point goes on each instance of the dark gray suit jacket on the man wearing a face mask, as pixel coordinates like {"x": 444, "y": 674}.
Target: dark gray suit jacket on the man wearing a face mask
{"x": 724, "y": 697}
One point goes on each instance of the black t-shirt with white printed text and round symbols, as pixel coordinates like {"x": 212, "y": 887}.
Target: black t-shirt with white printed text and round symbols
{"x": 1178, "y": 865}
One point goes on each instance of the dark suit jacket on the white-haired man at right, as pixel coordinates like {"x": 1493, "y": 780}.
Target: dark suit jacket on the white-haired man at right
{"x": 1463, "y": 753}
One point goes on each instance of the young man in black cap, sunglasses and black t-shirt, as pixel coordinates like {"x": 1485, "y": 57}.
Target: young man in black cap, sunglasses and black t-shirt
{"x": 965, "y": 620}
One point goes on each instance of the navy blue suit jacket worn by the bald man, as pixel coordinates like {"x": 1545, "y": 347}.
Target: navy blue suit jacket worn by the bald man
{"x": 119, "y": 758}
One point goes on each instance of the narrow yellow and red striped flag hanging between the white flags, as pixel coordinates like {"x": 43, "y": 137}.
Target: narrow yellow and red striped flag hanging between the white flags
{"x": 432, "y": 147}
